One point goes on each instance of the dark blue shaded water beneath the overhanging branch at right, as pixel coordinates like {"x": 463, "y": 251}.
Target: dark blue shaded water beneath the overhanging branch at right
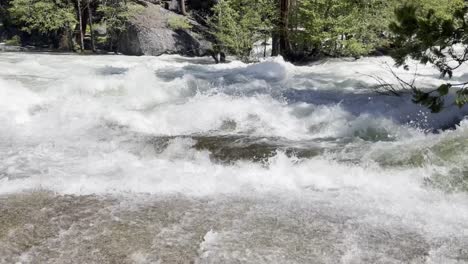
{"x": 399, "y": 109}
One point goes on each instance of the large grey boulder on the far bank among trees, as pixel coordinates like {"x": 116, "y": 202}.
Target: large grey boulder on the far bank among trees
{"x": 149, "y": 33}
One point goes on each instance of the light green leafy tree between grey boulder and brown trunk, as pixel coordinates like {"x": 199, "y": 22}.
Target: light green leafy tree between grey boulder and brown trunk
{"x": 238, "y": 24}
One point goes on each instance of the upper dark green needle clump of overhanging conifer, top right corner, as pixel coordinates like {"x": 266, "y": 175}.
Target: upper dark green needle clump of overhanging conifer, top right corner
{"x": 428, "y": 37}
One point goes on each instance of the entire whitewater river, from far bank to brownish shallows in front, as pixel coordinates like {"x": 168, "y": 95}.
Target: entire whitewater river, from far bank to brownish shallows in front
{"x": 112, "y": 159}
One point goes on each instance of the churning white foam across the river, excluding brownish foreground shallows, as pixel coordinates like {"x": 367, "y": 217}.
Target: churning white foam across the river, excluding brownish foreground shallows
{"x": 74, "y": 124}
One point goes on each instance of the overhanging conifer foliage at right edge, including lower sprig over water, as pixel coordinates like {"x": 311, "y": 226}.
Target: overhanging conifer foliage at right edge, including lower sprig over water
{"x": 438, "y": 36}
